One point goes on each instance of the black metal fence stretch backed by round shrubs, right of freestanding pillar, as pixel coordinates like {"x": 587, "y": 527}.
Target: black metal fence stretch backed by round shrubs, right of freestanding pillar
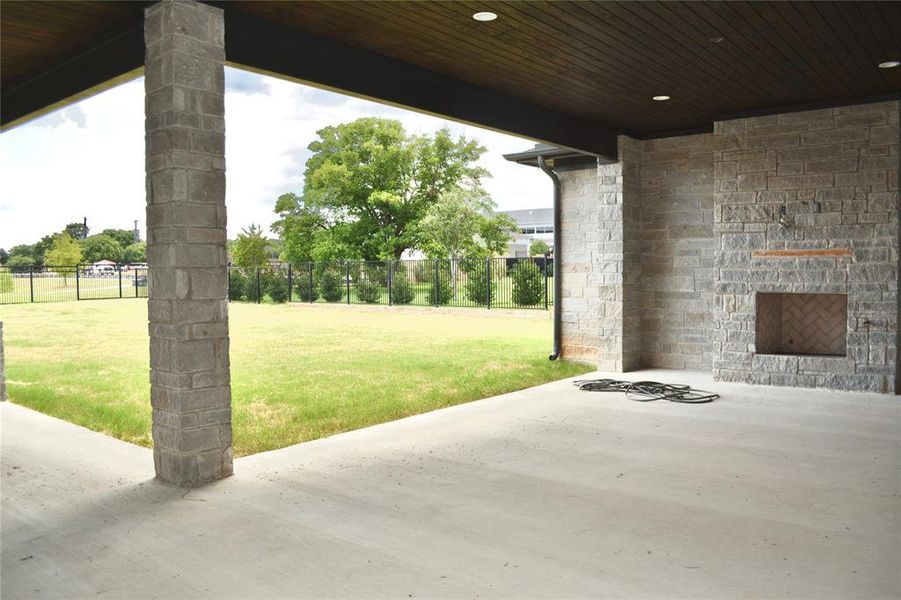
{"x": 488, "y": 283}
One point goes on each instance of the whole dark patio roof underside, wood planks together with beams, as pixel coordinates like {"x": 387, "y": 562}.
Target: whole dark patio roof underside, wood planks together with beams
{"x": 571, "y": 74}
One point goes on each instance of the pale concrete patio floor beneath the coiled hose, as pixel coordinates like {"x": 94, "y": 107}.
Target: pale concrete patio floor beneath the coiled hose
{"x": 547, "y": 492}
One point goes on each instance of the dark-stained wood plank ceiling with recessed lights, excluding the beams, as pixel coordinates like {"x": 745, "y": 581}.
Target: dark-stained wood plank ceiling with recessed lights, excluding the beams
{"x": 600, "y": 62}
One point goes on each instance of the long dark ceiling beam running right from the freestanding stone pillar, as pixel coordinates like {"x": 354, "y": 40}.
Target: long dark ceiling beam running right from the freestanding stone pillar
{"x": 266, "y": 46}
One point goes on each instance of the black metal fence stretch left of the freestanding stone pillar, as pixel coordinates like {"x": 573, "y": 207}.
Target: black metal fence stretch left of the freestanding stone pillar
{"x": 53, "y": 283}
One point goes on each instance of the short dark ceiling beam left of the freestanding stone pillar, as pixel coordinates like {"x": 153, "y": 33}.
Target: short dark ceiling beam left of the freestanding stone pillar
{"x": 102, "y": 64}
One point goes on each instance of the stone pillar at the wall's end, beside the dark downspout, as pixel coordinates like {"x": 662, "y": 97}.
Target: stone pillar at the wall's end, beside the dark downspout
{"x": 601, "y": 262}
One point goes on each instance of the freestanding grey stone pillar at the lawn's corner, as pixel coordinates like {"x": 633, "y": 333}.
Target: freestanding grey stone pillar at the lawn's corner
{"x": 188, "y": 289}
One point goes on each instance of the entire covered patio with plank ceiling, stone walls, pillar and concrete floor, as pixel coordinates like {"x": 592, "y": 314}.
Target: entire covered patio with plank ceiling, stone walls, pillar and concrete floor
{"x": 706, "y": 155}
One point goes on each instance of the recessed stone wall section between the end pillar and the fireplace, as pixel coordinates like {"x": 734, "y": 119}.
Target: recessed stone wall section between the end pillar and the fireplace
{"x": 677, "y": 252}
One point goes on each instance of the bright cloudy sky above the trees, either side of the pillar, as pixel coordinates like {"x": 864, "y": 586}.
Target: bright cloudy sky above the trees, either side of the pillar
{"x": 87, "y": 160}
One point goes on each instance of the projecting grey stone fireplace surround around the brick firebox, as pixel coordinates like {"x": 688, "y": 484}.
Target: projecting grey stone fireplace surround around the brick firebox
{"x": 836, "y": 173}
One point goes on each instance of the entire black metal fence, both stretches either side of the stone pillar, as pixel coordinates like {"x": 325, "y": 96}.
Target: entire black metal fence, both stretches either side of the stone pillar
{"x": 510, "y": 283}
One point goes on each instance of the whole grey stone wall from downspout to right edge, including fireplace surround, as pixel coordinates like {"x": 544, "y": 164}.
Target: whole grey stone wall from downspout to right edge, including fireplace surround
{"x": 657, "y": 249}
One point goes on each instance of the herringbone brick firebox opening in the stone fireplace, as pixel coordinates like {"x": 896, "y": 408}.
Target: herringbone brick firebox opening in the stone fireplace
{"x": 811, "y": 324}
